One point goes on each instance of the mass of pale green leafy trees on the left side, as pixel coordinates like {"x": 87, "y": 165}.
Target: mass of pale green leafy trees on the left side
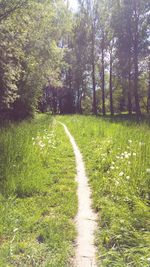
{"x": 30, "y": 54}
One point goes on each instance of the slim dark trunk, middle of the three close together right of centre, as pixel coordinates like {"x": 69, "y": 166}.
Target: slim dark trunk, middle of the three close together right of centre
{"x": 103, "y": 78}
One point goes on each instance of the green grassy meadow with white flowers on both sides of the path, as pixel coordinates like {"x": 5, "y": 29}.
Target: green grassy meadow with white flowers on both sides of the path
{"x": 38, "y": 200}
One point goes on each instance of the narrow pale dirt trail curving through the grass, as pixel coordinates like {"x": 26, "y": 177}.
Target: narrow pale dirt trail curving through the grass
{"x": 86, "y": 218}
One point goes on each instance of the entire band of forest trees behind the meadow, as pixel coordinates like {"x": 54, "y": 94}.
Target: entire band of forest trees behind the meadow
{"x": 93, "y": 61}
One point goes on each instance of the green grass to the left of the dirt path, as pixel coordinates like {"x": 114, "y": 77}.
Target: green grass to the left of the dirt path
{"x": 38, "y": 199}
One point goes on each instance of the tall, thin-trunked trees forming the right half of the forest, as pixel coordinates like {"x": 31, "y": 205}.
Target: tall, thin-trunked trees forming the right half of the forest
{"x": 109, "y": 56}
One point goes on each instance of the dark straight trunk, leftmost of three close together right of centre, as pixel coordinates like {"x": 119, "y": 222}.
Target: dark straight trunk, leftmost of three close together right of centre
{"x": 93, "y": 71}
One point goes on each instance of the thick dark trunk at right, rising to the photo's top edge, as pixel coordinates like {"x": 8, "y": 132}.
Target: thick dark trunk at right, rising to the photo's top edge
{"x": 136, "y": 67}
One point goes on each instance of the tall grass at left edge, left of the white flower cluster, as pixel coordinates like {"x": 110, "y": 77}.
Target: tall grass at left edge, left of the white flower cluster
{"x": 21, "y": 162}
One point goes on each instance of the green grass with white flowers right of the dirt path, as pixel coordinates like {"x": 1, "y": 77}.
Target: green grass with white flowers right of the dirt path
{"x": 117, "y": 157}
